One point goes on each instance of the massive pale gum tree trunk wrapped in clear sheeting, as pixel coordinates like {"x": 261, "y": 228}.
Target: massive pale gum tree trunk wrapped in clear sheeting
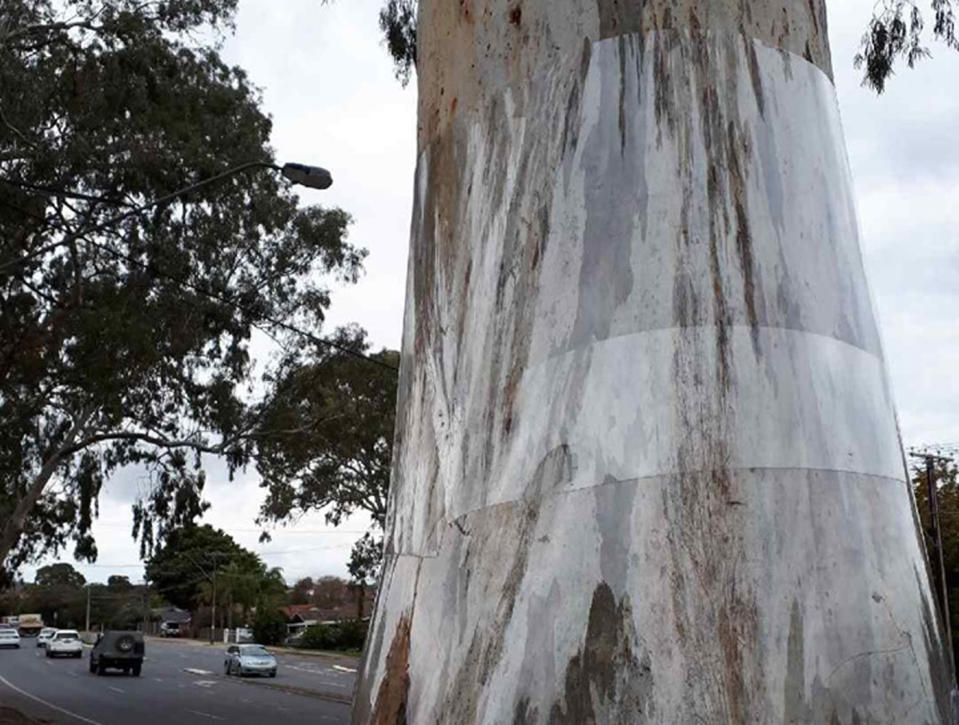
{"x": 648, "y": 468}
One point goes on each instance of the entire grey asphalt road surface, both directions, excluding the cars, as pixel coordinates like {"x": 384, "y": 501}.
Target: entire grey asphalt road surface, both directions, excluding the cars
{"x": 181, "y": 682}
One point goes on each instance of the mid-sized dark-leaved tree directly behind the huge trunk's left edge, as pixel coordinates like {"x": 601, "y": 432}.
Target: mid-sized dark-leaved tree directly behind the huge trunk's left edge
{"x": 342, "y": 411}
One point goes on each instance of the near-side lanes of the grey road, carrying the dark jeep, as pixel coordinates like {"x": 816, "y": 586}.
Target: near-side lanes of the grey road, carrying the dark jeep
{"x": 64, "y": 691}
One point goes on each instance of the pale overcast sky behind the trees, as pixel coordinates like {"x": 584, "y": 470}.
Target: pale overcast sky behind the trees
{"x": 328, "y": 84}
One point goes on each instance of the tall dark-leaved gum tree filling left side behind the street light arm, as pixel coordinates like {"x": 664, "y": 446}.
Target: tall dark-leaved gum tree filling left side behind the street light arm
{"x": 130, "y": 344}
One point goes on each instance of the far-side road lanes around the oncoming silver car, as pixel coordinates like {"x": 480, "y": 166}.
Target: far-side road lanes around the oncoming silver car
{"x": 308, "y": 673}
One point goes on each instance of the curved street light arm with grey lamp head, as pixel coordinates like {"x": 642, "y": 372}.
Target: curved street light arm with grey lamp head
{"x": 313, "y": 177}
